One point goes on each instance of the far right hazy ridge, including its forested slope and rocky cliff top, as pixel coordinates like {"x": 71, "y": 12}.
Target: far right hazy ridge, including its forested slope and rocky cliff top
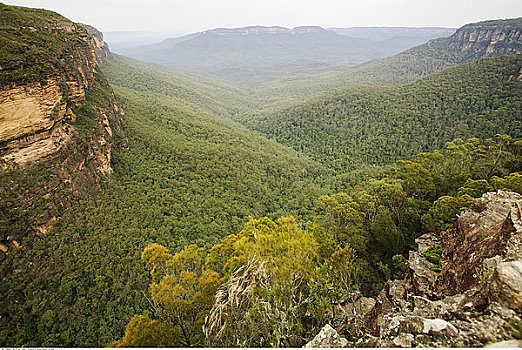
{"x": 472, "y": 41}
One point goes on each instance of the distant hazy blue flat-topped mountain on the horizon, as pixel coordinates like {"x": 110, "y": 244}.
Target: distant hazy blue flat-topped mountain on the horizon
{"x": 266, "y": 50}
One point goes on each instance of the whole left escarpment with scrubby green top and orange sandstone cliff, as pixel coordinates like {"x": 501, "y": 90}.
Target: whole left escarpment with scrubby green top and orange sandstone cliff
{"x": 58, "y": 119}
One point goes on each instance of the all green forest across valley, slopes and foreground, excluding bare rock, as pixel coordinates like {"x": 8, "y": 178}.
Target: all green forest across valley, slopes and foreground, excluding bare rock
{"x": 232, "y": 215}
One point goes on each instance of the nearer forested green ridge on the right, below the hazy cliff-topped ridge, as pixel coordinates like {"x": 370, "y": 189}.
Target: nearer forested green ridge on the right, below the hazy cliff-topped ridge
{"x": 351, "y": 127}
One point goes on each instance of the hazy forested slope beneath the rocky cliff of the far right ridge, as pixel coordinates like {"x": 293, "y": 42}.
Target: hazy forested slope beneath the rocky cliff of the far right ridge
{"x": 402, "y": 68}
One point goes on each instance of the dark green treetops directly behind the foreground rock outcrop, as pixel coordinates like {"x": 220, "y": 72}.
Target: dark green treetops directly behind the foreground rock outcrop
{"x": 381, "y": 217}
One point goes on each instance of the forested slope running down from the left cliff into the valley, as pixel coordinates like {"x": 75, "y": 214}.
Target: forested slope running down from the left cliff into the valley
{"x": 186, "y": 177}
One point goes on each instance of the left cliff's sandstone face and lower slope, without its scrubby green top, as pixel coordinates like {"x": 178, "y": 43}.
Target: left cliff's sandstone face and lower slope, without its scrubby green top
{"x": 38, "y": 130}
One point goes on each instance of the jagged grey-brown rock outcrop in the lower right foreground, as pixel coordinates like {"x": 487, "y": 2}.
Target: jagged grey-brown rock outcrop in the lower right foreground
{"x": 474, "y": 301}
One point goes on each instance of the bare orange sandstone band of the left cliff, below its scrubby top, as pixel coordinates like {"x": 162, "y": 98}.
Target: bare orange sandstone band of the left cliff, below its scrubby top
{"x": 35, "y": 119}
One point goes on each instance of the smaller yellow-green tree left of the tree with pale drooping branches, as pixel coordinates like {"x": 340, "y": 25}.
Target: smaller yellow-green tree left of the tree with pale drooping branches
{"x": 181, "y": 293}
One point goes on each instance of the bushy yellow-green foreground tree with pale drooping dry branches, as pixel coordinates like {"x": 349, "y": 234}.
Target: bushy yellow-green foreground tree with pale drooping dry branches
{"x": 274, "y": 282}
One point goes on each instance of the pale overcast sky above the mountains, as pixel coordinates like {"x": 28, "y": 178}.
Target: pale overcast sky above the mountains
{"x": 185, "y": 16}
